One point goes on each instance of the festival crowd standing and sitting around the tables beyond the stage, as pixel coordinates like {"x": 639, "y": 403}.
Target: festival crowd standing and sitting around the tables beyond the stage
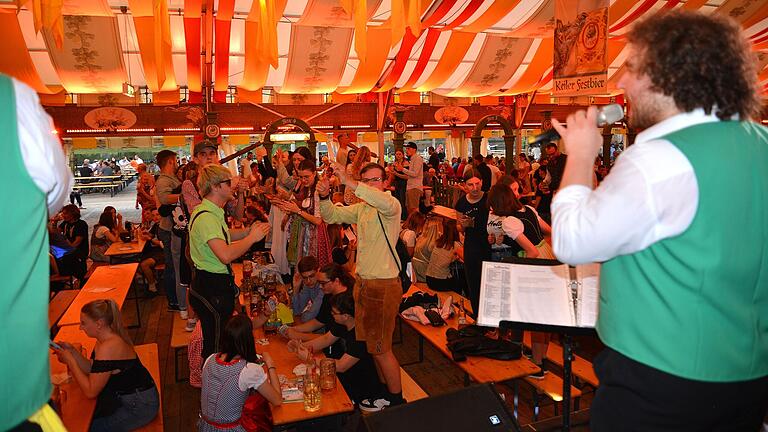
{"x": 326, "y": 223}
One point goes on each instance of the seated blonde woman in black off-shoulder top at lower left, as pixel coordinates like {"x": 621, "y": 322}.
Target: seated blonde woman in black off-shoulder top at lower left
{"x": 126, "y": 396}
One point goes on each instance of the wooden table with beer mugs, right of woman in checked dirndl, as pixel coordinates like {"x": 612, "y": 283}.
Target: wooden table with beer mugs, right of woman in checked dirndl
{"x": 334, "y": 402}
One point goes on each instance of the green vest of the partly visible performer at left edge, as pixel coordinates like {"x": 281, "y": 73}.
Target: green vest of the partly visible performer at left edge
{"x": 25, "y": 383}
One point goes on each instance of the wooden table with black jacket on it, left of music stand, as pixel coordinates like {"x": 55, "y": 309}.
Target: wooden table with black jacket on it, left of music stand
{"x": 480, "y": 369}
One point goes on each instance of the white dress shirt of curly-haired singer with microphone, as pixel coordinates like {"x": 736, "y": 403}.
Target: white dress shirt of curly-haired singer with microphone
{"x": 651, "y": 194}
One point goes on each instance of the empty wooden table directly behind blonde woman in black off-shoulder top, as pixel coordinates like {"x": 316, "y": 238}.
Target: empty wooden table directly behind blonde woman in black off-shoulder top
{"x": 118, "y": 277}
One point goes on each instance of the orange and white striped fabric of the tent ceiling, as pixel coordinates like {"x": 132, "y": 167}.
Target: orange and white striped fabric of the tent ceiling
{"x": 312, "y": 43}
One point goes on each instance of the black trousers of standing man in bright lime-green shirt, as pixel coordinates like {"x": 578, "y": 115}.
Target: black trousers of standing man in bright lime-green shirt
{"x": 213, "y": 298}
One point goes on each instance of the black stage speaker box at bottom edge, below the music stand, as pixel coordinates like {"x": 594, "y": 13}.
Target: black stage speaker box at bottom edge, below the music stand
{"x": 477, "y": 408}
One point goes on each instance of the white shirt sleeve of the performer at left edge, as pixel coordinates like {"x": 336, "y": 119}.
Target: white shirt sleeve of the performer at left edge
{"x": 41, "y": 149}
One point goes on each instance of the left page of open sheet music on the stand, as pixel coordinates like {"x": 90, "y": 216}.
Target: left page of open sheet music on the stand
{"x": 525, "y": 293}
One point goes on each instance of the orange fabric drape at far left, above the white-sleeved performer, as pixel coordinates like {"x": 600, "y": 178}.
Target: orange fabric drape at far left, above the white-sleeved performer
{"x": 16, "y": 61}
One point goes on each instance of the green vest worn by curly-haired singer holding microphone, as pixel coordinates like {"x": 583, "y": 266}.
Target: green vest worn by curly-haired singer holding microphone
{"x": 696, "y": 305}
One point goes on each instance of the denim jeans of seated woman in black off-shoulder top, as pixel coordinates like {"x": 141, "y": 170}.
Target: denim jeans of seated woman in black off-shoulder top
{"x": 136, "y": 410}
